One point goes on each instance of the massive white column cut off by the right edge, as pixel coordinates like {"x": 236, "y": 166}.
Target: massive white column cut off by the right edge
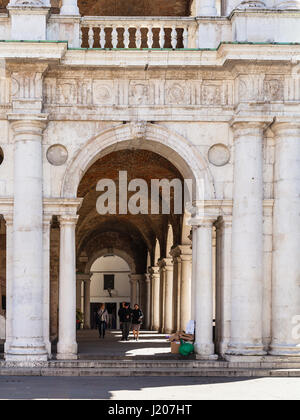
{"x": 286, "y": 241}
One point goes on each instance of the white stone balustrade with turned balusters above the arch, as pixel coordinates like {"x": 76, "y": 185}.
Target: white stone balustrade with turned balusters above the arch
{"x": 111, "y": 32}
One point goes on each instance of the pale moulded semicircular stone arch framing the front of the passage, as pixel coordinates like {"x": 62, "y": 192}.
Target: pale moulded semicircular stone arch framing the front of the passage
{"x": 152, "y": 137}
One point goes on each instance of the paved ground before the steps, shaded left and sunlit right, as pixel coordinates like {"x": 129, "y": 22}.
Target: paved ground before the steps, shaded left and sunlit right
{"x": 149, "y": 388}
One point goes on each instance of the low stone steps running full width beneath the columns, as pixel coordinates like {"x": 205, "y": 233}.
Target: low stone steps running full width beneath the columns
{"x": 126, "y": 368}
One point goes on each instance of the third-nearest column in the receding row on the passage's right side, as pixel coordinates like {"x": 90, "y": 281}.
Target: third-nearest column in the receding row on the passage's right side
{"x": 168, "y": 296}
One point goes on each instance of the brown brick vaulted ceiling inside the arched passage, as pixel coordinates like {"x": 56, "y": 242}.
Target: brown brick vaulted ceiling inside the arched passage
{"x": 134, "y": 234}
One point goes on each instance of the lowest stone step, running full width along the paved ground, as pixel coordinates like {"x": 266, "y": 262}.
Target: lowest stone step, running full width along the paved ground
{"x": 147, "y": 372}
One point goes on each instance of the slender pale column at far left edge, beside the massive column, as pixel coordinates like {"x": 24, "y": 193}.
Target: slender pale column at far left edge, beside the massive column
{"x": 9, "y": 280}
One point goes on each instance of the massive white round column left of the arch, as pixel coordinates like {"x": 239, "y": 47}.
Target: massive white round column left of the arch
{"x": 27, "y": 342}
